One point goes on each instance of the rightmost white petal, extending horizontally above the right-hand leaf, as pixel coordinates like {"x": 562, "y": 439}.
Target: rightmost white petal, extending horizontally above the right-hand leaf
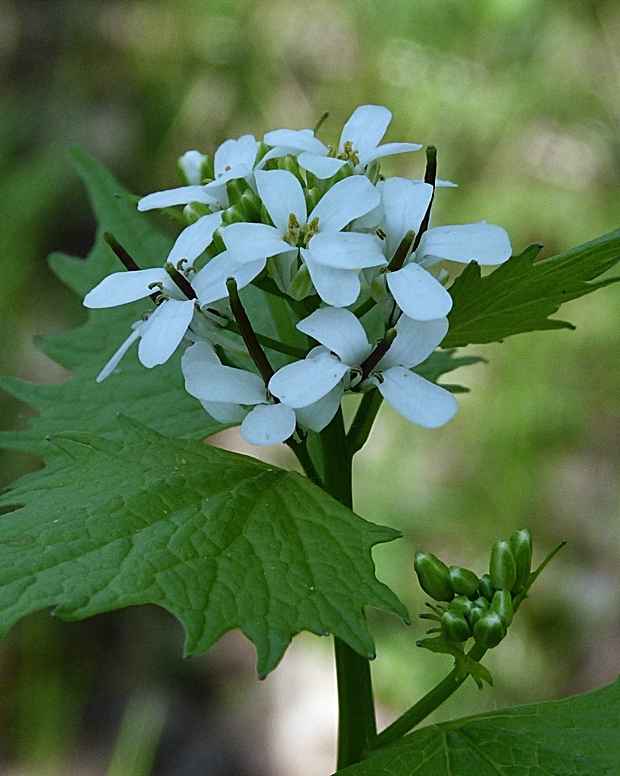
{"x": 485, "y": 243}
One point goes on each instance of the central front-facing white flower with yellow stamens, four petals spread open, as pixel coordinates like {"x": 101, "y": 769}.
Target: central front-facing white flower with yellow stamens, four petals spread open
{"x": 331, "y": 255}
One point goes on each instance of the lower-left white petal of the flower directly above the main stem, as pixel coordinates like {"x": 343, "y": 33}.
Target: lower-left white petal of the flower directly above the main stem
{"x": 304, "y": 382}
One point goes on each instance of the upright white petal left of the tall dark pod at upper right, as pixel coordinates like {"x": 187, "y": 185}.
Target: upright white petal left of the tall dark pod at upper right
{"x": 405, "y": 204}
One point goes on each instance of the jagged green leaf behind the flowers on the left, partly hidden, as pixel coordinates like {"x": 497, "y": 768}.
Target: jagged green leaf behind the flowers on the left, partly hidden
{"x": 153, "y": 396}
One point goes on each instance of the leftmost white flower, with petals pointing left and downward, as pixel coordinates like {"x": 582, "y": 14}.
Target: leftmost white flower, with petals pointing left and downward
{"x": 162, "y": 332}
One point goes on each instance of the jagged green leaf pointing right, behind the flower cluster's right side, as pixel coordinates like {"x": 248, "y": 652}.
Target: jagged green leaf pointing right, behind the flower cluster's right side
{"x": 521, "y": 294}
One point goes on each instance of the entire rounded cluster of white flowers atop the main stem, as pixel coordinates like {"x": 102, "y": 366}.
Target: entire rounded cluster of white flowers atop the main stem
{"x": 346, "y": 248}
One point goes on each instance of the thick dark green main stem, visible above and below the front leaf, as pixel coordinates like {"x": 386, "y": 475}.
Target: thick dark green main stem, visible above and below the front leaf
{"x": 356, "y": 724}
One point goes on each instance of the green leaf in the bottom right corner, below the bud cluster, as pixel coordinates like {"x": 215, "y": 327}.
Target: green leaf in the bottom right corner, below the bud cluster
{"x": 576, "y": 736}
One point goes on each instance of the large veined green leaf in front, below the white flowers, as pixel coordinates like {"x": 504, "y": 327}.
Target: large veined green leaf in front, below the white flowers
{"x": 219, "y": 539}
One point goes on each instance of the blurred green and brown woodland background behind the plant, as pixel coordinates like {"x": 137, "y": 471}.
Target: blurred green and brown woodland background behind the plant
{"x": 522, "y": 99}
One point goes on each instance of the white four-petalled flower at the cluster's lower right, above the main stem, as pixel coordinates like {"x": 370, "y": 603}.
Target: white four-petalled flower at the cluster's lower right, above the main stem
{"x": 346, "y": 347}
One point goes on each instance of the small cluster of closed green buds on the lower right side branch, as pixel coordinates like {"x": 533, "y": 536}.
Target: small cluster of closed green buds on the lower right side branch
{"x": 479, "y": 607}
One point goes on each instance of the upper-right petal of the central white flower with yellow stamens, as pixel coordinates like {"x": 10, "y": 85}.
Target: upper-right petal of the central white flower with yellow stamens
{"x": 345, "y": 201}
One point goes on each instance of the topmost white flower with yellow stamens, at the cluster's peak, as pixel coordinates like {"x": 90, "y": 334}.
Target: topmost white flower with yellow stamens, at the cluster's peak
{"x": 359, "y": 143}
